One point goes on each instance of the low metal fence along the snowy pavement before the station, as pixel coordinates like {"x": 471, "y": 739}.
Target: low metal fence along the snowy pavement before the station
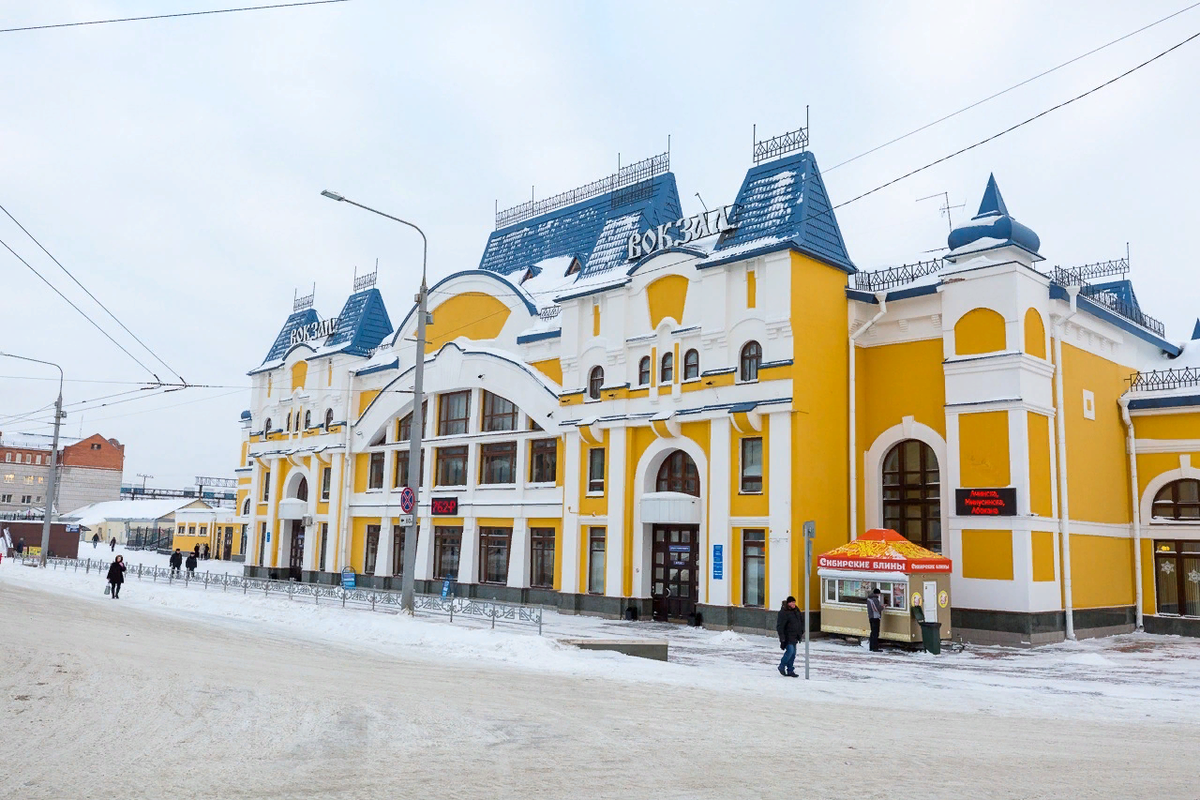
{"x": 491, "y": 611}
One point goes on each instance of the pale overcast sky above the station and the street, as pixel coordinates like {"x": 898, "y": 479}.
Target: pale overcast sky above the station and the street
{"x": 176, "y": 166}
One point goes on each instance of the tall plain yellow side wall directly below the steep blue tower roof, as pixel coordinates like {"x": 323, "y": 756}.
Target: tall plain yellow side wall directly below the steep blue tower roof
{"x": 820, "y": 426}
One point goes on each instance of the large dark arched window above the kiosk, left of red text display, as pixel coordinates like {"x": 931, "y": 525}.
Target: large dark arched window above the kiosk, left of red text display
{"x": 913, "y": 500}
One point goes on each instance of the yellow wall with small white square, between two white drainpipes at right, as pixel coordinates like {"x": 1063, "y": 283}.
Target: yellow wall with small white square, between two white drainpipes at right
{"x": 1097, "y": 464}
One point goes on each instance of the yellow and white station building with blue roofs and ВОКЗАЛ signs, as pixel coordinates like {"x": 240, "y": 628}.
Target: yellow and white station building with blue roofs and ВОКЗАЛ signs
{"x": 633, "y": 413}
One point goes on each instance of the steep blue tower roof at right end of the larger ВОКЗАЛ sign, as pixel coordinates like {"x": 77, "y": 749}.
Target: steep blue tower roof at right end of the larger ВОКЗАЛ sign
{"x": 787, "y": 201}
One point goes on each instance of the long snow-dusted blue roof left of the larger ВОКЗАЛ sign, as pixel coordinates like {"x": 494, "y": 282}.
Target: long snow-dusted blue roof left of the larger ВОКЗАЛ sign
{"x": 578, "y": 230}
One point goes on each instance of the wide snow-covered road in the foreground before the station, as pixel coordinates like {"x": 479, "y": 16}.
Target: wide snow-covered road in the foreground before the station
{"x": 105, "y": 699}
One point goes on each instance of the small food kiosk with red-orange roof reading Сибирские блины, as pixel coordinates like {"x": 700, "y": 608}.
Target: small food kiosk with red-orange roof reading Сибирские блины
{"x": 907, "y": 575}
